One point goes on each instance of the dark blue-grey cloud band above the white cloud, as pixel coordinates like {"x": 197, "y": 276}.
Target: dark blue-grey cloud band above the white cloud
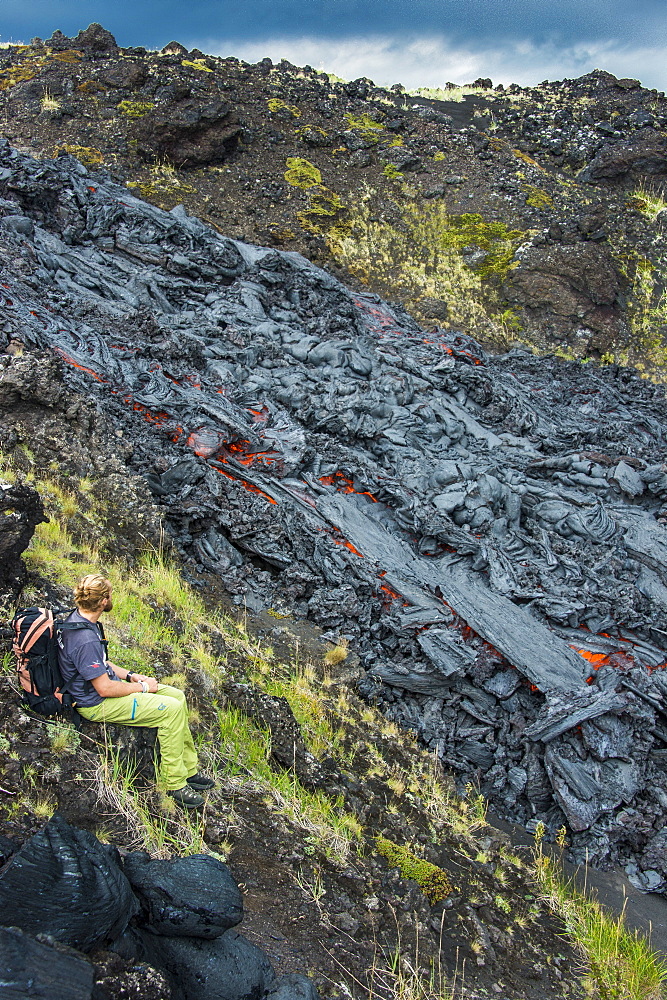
{"x": 154, "y": 22}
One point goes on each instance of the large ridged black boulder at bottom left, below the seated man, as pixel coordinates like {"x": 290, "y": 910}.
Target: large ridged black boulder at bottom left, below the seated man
{"x": 64, "y": 883}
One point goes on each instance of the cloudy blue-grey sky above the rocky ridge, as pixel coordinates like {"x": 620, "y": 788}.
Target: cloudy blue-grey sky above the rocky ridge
{"x": 413, "y": 42}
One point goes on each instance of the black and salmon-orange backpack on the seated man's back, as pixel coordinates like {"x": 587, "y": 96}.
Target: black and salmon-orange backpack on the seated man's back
{"x": 36, "y": 649}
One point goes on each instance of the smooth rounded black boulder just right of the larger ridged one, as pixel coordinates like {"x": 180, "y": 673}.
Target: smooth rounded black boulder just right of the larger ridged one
{"x": 185, "y": 897}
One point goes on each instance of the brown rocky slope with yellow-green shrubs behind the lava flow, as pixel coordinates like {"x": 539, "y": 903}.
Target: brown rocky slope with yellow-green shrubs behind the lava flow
{"x": 530, "y": 215}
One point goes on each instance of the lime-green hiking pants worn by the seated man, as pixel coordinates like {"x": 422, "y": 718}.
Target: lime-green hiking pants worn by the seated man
{"x": 166, "y": 711}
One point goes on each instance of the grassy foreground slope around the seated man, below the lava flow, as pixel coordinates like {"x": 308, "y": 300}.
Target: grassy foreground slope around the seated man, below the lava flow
{"x": 378, "y": 874}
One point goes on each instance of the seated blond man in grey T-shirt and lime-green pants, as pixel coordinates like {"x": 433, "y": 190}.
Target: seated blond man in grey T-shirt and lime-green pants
{"x": 104, "y": 692}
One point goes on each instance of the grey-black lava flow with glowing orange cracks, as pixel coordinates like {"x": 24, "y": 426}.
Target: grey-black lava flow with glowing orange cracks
{"x": 459, "y": 517}
